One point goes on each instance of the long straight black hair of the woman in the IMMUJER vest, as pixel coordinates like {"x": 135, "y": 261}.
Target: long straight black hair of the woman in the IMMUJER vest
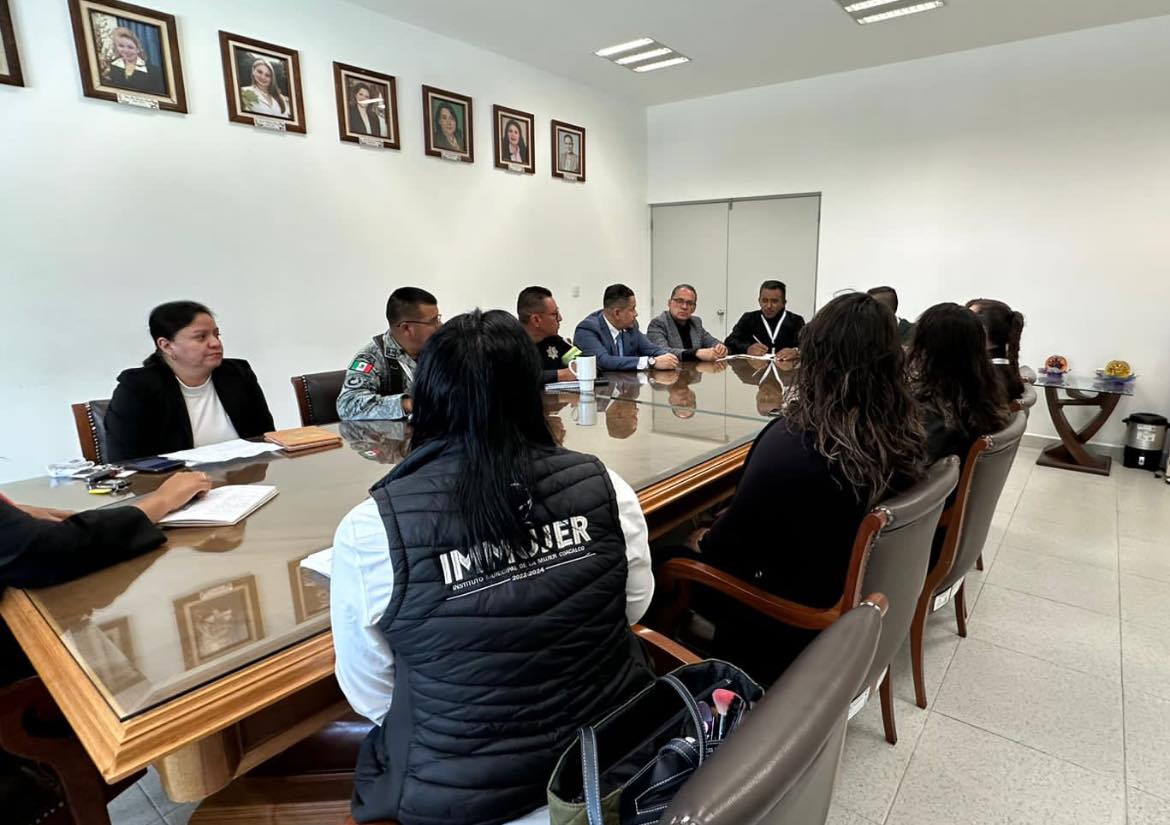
{"x": 479, "y": 387}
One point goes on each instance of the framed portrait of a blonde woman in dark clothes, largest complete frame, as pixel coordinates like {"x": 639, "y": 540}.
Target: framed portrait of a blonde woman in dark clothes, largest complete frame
{"x": 128, "y": 54}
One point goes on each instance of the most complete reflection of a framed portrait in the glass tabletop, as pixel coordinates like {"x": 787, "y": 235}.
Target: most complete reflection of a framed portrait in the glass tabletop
{"x": 217, "y": 621}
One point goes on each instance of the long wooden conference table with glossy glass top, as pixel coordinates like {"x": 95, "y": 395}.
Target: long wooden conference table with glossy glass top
{"x": 214, "y": 654}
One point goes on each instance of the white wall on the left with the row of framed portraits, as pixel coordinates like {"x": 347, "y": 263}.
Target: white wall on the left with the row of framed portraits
{"x": 294, "y": 240}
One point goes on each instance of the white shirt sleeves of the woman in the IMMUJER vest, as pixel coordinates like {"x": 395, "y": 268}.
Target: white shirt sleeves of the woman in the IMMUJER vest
{"x": 363, "y": 581}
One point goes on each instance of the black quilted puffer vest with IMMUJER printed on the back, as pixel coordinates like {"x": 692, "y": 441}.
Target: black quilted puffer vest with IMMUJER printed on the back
{"x": 499, "y": 656}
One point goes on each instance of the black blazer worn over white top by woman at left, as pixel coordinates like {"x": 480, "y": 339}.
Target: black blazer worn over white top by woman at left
{"x": 148, "y": 415}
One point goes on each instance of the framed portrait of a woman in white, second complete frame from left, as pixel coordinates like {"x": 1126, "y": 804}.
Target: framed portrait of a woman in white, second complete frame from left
{"x": 263, "y": 82}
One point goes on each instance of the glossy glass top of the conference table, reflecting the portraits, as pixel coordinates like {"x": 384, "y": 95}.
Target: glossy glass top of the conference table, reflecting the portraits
{"x": 214, "y": 601}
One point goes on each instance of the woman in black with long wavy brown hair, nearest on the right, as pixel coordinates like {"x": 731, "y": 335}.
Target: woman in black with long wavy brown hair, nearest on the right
{"x": 851, "y": 434}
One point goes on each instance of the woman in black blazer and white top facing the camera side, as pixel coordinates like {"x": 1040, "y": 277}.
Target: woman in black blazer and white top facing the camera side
{"x": 187, "y": 394}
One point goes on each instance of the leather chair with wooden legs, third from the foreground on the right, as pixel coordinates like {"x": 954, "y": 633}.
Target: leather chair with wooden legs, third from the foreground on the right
{"x": 968, "y": 522}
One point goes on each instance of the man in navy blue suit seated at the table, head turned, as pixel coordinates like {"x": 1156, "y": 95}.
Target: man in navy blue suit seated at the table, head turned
{"x": 612, "y": 335}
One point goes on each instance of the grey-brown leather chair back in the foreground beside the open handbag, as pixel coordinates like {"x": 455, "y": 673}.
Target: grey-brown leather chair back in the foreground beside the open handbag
{"x": 781, "y": 767}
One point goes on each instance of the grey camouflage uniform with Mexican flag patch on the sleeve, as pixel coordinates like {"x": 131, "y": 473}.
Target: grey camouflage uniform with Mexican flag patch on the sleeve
{"x": 380, "y": 377}
